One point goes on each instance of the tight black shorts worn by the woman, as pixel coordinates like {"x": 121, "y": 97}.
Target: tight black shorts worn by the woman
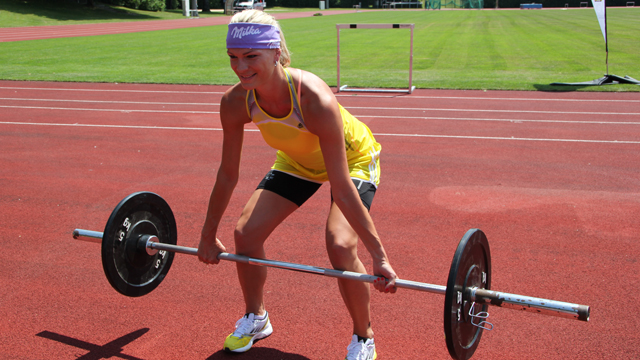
{"x": 300, "y": 190}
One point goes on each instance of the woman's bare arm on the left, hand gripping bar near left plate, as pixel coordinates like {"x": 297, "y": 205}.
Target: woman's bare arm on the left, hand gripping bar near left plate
{"x": 233, "y": 116}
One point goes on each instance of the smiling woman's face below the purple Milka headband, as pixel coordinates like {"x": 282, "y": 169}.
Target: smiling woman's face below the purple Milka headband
{"x": 253, "y": 67}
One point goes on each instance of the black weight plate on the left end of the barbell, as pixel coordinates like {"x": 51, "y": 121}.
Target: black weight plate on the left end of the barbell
{"x": 128, "y": 267}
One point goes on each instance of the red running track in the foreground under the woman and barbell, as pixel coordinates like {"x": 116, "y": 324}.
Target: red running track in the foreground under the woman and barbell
{"x": 552, "y": 179}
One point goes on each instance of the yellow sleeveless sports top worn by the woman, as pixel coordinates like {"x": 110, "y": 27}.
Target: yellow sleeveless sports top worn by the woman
{"x": 299, "y": 151}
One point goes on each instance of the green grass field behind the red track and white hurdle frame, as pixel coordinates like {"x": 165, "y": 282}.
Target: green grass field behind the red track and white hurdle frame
{"x": 506, "y": 49}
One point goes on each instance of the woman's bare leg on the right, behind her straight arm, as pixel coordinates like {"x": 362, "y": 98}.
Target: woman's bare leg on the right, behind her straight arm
{"x": 342, "y": 243}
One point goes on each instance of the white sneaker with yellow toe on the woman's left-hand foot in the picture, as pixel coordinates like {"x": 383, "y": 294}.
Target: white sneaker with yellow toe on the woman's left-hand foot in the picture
{"x": 248, "y": 330}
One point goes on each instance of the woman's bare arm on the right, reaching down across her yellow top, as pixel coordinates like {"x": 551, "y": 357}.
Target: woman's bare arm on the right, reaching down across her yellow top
{"x": 322, "y": 118}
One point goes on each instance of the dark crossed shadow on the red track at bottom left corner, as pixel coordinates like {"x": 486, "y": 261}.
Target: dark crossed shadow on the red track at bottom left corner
{"x": 112, "y": 349}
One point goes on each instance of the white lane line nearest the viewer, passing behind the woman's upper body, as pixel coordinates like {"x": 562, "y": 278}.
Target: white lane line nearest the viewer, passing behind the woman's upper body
{"x": 375, "y": 134}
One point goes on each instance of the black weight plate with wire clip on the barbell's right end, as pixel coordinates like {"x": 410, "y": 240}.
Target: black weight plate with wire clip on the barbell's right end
{"x": 471, "y": 260}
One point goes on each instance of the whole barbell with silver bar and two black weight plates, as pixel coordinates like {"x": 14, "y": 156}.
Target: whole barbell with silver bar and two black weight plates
{"x": 139, "y": 242}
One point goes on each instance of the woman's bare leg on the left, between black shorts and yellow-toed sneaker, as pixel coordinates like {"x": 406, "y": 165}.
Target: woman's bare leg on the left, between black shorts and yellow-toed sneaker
{"x": 261, "y": 215}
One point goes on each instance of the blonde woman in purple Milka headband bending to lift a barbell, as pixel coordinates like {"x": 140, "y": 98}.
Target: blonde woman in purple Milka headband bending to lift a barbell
{"x": 317, "y": 141}
